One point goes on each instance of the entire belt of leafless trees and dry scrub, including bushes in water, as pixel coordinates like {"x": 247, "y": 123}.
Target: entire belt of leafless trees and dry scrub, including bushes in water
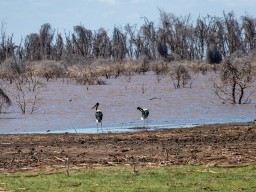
{"x": 127, "y": 51}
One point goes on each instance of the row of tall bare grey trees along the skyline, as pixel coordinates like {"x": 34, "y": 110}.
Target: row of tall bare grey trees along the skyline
{"x": 174, "y": 38}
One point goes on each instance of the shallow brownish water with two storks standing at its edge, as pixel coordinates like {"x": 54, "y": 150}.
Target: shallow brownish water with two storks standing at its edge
{"x": 169, "y": 107}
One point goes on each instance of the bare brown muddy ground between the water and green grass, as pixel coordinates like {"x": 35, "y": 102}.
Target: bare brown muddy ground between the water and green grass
{"x": 210, "y": 145}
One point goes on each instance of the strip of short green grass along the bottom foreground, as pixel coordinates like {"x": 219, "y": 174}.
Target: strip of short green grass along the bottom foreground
{"x": 122, "y": 178}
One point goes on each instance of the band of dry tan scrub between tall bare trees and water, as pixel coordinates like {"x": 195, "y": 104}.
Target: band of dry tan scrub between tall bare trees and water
{"x": 90, "y": 72}
